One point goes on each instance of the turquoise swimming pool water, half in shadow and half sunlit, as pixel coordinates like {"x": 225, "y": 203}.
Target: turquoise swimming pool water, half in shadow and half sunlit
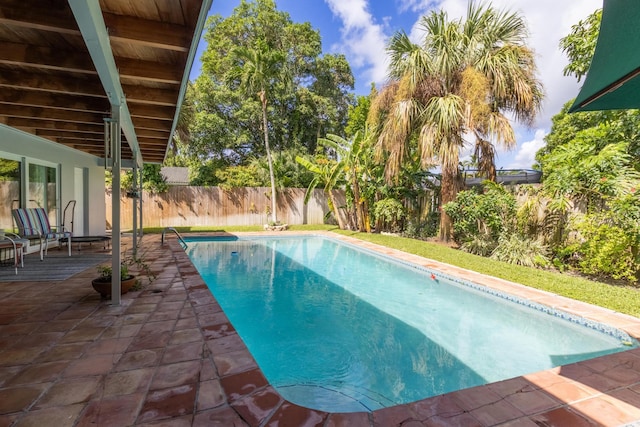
{"x": 340, "y": 329}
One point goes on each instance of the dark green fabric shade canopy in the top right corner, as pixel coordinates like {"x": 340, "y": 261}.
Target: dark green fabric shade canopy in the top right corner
{"x": 613, "y": 79}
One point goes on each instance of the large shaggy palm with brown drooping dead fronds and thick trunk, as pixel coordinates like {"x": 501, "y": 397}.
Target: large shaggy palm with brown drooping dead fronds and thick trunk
{"x": 460, "y": 80}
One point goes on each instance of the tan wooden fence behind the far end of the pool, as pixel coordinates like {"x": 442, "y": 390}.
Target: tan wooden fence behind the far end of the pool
{"x": 213, "y": 206}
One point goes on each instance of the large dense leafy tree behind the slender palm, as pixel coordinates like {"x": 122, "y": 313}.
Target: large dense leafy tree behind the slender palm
{"x": 228, "y": 125}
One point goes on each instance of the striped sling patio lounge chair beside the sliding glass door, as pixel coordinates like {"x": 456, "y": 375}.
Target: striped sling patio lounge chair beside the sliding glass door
{"x": 33, "y": 224}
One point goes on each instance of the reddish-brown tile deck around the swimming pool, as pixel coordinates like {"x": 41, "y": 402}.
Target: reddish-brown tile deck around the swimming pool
{"x": 168, "y": 356}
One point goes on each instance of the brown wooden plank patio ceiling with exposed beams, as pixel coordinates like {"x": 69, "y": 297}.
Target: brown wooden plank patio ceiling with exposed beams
{"x": 49, "y": 86}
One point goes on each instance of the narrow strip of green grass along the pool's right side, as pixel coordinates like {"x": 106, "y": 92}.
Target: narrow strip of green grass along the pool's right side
{"x": 618, "y": 298}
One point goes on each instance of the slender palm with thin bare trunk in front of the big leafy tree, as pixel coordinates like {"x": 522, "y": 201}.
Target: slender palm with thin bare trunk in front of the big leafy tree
{"x": 257, "y": 70}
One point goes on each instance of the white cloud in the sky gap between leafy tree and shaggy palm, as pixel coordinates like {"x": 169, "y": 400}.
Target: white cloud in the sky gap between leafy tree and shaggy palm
{"x": 363, "y": 39}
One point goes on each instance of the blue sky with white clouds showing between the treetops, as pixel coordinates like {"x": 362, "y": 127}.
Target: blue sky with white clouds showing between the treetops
{"x": 360, "y": 30}
